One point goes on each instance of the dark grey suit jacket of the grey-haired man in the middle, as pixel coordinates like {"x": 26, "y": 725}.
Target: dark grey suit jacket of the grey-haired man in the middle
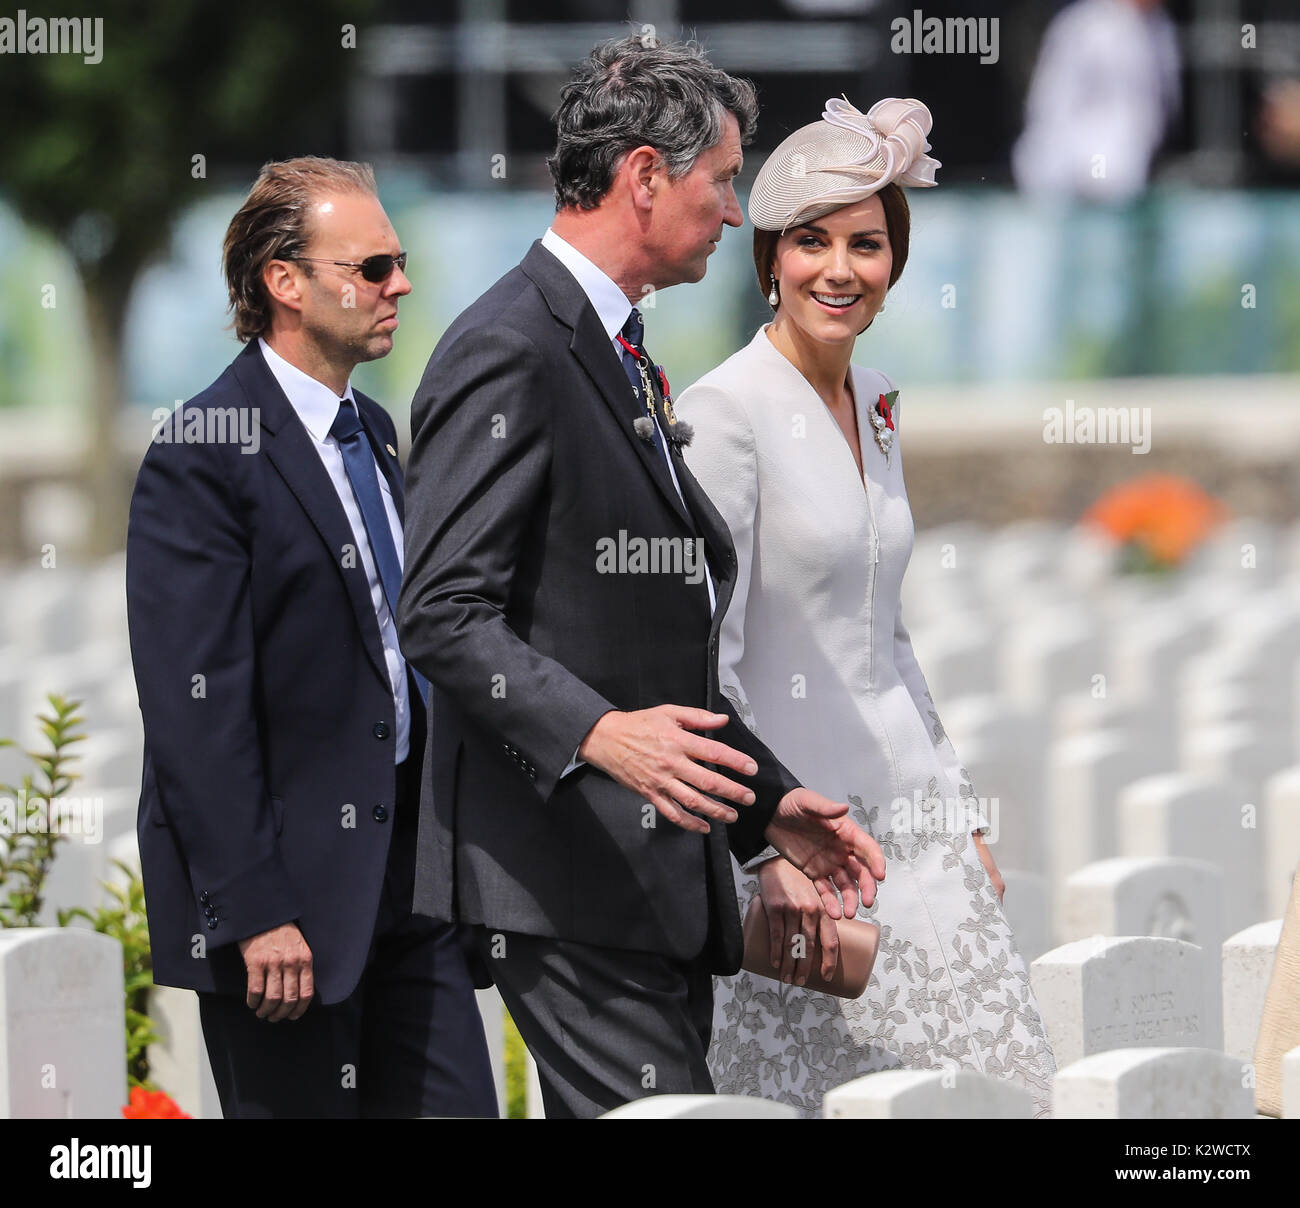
{"x": 527, "y": 609}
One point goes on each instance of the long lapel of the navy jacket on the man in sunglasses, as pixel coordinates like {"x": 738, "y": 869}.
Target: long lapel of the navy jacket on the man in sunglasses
{"x": 289, "y": 447}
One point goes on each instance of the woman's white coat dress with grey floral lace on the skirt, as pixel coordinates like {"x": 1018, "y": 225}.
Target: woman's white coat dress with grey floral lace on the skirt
{"x": 816, "y": 656}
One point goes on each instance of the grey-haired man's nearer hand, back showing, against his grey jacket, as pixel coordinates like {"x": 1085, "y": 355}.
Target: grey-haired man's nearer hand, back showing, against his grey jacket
{"x": 655, "y": 754}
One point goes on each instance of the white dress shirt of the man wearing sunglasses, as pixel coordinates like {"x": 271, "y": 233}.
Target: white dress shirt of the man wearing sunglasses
{"x": 318, "y": 408}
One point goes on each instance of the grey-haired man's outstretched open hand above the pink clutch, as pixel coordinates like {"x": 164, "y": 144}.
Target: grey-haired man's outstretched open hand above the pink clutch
{"x": 817, "y": 835}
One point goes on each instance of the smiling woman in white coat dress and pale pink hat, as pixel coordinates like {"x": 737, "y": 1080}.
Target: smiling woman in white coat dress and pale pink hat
{"x": 798, "y": 449}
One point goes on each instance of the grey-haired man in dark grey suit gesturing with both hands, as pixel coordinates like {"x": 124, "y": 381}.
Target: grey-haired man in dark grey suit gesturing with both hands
{"x": 565, "y": 584}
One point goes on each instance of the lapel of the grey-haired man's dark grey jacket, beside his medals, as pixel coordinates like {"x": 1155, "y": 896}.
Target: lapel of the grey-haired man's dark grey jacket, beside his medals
{"x": 596, "y": 354}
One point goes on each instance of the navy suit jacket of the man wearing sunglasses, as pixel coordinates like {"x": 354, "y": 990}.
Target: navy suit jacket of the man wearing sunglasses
{"x": 268, "y": 790}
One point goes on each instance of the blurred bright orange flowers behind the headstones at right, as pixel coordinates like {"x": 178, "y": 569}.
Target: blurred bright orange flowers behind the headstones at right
{"x": 1163, "y": 516}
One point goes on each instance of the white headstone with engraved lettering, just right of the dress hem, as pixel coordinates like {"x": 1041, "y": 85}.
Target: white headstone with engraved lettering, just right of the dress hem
{"x": 1120, "y": 993}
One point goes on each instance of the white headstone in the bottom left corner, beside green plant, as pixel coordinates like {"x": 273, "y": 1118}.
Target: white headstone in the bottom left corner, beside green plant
{"x": 63, "y": 1025}
